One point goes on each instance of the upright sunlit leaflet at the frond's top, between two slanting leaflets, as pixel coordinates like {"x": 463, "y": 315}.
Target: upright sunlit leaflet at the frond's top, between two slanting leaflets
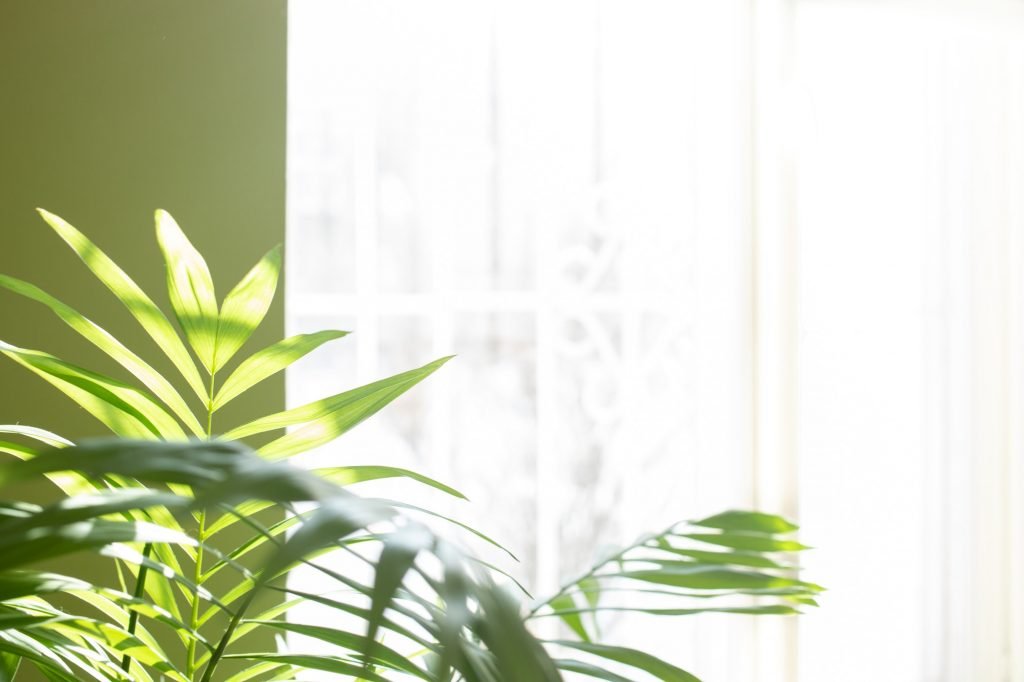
{"x": 190, "y": 287}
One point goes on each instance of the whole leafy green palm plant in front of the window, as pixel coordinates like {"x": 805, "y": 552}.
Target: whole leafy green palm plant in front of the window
{"x": 159, "y": 499}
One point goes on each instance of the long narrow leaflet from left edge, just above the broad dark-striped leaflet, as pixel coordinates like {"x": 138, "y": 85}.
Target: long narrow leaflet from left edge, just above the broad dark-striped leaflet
{"x": 117, "y": 351}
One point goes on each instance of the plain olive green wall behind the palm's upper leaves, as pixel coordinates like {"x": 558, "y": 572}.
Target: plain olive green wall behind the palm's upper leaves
{"x": 112, "y": 109}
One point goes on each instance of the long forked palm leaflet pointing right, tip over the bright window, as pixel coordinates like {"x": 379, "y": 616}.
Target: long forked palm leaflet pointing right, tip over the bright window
{"x": 325, "y": 420}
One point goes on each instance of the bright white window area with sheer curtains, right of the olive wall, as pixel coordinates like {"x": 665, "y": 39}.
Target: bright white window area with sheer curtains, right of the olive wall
{"x": 691, "y": 255}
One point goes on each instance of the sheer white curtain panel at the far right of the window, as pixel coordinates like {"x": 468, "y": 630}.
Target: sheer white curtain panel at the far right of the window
{"x": 911, "y": 135}
